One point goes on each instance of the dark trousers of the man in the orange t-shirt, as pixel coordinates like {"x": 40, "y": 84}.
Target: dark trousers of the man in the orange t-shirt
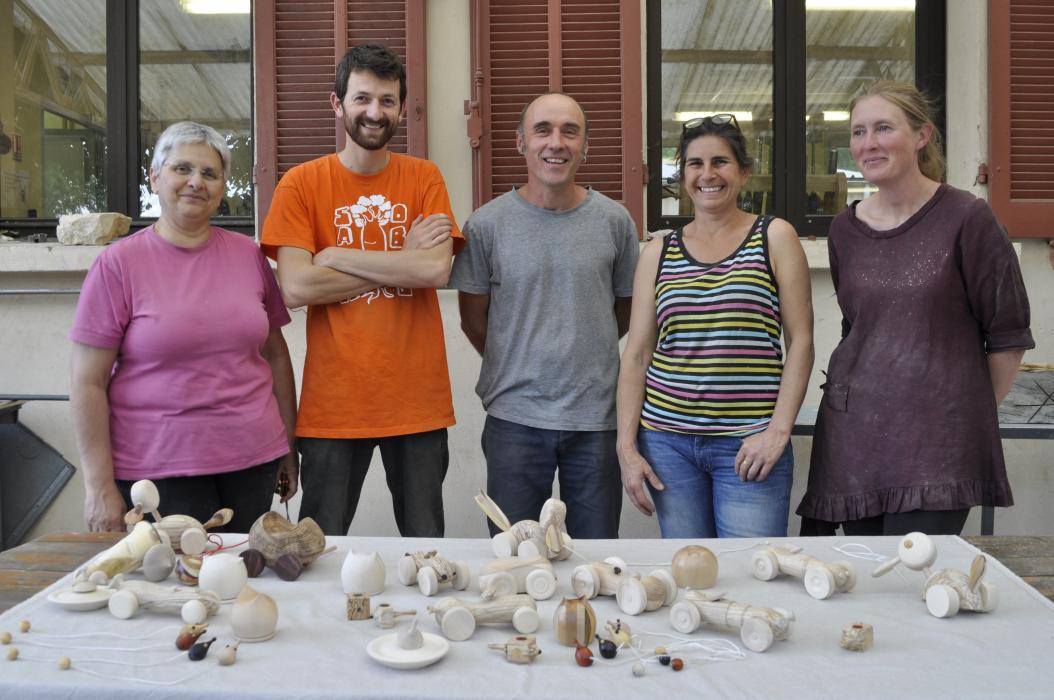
{"x": 333, "y": 472}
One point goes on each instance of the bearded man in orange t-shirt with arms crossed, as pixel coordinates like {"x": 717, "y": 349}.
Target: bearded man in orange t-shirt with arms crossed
{"x": 363, "y": 238}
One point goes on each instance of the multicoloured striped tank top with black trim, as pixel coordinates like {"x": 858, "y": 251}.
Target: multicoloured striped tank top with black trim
{"x": 717, "y": 367}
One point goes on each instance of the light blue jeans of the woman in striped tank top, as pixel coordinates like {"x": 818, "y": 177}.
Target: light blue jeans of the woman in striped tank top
{"x": 704, "y": 496}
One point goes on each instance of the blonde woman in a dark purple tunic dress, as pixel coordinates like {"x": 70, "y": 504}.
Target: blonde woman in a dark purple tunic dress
{"x": 935, "y": 323}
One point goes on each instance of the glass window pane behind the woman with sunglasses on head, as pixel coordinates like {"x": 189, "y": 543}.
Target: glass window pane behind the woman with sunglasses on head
{"x": 717, "y": 57}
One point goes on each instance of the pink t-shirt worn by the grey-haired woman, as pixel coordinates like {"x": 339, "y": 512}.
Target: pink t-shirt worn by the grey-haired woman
{"x": 190, "y": 393}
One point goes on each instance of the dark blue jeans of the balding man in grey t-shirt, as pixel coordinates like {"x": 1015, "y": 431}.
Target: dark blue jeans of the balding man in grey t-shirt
{"x": 521, "y": 465}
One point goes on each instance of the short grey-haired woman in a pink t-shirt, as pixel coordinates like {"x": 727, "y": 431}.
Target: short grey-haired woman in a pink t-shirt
{"x": 181, "y": 374}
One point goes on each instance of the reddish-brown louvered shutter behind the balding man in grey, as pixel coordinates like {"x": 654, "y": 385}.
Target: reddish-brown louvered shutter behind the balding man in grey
{"x": 588, "y": 49}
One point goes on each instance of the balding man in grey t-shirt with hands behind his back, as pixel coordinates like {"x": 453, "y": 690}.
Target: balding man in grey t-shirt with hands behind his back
{"x": 544, "y": 286}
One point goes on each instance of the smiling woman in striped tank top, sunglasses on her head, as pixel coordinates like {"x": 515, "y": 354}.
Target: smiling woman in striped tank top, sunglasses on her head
{"x": 707, "y": 399}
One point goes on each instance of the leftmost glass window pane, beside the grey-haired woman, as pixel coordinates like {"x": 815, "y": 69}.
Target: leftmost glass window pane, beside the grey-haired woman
{"x": 53, "y": 108}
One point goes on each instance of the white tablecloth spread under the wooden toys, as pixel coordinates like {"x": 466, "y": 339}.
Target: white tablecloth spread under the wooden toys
{"x": 319, "y": 654}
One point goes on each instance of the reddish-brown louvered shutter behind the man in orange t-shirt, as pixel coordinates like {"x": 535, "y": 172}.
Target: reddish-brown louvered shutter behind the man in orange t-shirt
{"x": 297, "y": 47}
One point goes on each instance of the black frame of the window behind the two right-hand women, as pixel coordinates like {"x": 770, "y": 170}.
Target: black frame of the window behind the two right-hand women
{"x": 789, "y": 106}
